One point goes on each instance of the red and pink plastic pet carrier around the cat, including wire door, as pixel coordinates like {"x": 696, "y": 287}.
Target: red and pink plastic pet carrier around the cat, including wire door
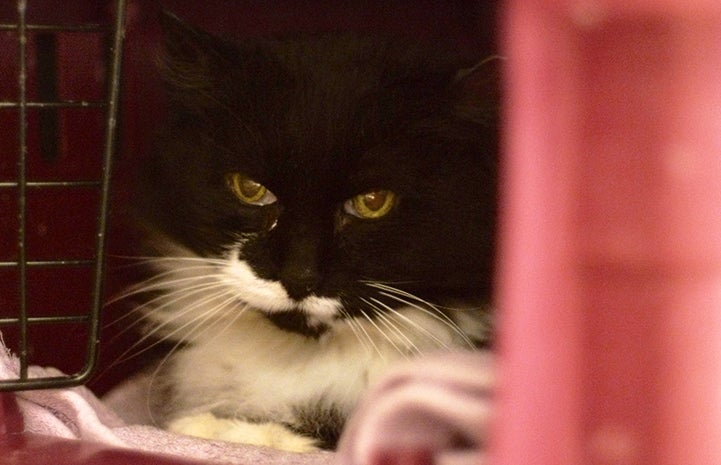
{"x": 609, "y": 286}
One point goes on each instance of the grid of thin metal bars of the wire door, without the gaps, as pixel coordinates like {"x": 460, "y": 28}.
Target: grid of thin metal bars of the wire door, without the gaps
{"x": 115, "y": 36}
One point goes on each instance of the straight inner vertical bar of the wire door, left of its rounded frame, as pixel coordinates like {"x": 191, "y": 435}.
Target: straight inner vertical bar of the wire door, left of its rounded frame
{"x": 22, "y": 185}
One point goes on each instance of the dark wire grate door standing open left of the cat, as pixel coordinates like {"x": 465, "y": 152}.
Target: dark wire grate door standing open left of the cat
{"x": 58, "y": 117}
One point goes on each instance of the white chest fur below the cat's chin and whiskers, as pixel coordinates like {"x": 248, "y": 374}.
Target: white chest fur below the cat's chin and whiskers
{"x": 256, "y": 370}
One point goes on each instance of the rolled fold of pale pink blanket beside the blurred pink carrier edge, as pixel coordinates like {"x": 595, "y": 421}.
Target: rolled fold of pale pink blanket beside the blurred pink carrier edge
{"x": 434, "y": 410}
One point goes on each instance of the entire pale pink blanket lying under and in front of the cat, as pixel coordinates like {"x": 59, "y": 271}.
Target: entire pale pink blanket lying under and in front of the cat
{"x": 433, "y": 410}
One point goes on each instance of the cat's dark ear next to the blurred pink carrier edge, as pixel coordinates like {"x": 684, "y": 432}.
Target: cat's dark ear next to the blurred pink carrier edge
{"x": 477, "y": 90}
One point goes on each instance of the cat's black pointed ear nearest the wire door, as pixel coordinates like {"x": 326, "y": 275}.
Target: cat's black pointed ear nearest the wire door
{"x": 191, "y": 60}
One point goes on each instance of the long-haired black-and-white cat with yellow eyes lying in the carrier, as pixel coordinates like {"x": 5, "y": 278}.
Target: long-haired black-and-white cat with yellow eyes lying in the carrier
{"x": 320, "y": 208}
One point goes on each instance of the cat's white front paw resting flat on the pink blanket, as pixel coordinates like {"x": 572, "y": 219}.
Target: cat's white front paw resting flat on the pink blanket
{"x": 274, "y": 435}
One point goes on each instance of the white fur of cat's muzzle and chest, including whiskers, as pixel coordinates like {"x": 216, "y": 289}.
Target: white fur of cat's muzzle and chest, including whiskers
{"x": 239, "y": 365}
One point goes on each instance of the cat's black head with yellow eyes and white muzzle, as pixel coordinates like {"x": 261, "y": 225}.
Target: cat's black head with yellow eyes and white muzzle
{"x": 324, "y": 178}
